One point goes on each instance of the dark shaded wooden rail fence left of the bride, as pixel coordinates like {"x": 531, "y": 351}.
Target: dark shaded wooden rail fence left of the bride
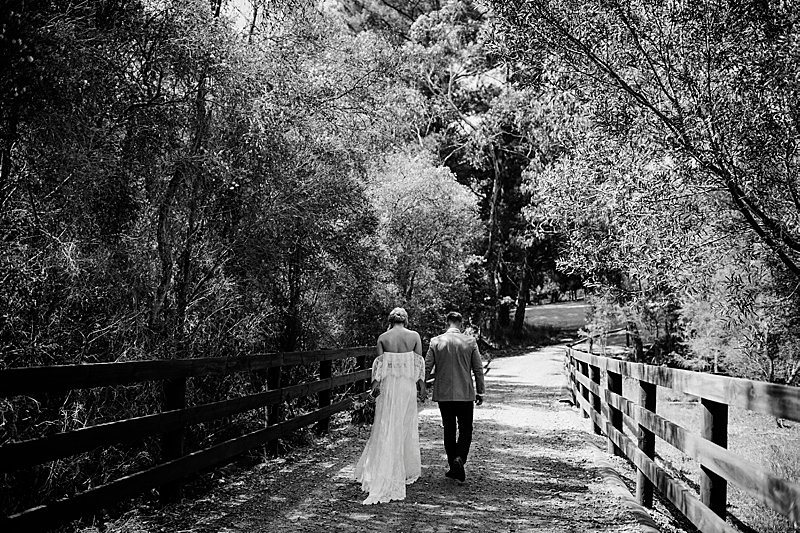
{"x": 169, "y": 423}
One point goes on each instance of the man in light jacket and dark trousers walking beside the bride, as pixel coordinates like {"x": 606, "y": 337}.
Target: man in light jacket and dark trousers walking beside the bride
{"x": 454, "y": 356}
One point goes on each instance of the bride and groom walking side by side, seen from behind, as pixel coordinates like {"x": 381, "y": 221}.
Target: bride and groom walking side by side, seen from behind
{"x": 391, "y": 458}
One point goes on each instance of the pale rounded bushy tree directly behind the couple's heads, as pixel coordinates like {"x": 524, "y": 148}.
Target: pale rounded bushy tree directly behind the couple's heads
{"x": 428, "y": 229}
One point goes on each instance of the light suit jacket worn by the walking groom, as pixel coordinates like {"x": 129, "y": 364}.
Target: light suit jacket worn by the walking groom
{"x": 456, "y": 358}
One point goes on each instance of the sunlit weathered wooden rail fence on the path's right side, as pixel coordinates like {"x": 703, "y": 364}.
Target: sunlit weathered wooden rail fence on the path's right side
{"x": 603, "y": 402}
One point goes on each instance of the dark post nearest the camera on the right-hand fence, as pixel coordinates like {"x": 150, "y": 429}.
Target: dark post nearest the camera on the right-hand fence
{"x": 714, "y": 488}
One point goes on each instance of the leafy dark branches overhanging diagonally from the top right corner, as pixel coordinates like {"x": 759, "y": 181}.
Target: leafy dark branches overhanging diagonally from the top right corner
{"x": 689, "y": 77}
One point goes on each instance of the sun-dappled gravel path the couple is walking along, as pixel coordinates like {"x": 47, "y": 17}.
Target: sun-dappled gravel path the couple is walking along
{"x": 533, "y": 467}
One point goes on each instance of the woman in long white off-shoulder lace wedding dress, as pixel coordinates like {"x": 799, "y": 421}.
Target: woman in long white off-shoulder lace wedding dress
{"x": 391, "y": 458}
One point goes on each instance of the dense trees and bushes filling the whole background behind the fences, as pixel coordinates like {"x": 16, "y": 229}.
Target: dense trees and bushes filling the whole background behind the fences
{"x": 184, "y": 178}
